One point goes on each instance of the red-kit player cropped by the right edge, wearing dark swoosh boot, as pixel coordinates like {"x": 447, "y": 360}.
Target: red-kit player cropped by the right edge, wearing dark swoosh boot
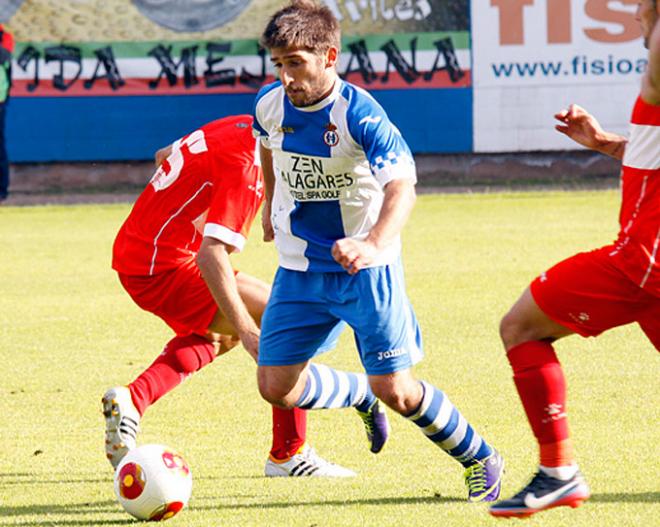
{"x": 590, "y": 292}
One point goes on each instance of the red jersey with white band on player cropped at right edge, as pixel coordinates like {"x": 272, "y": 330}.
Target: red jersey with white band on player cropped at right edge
{"x": 638, "y": 242}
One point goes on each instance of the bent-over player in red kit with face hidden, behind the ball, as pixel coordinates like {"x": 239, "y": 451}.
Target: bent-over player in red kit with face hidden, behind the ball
{"x": 172, "y": 256}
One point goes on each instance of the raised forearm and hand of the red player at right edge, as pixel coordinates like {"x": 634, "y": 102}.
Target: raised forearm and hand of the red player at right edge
{"x": 584, "y": 129}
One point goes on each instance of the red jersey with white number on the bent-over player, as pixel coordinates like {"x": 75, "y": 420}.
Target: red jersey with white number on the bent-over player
{"x": 210, "y": 185}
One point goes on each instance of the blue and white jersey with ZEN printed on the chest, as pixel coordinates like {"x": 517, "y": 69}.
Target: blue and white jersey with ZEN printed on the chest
{"x": 332, "y": 161}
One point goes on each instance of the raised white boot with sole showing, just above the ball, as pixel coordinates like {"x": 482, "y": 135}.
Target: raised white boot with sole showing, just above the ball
{"x": 122, "y": 423}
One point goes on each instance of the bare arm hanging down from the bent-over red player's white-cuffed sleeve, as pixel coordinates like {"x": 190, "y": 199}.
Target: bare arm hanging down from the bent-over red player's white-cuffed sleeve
{"x": 215, "y": 266}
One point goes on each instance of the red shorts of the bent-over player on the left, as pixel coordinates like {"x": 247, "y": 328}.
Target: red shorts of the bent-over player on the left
{"x": 180, "y": 297}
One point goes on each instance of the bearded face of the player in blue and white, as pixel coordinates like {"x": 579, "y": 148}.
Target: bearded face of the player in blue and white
{"x": 307, "y": 77}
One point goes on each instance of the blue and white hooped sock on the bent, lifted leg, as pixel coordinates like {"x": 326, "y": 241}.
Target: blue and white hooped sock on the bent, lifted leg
{"x": 330, "y": 388}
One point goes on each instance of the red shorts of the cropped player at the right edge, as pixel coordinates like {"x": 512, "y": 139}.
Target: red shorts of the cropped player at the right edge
{"x": 588, "y": 294}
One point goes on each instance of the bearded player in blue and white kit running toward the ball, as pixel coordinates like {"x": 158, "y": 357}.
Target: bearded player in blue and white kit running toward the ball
{"x": 339, "y": 188}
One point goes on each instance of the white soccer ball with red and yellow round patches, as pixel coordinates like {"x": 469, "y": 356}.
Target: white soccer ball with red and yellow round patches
{"x": 153, "y": 482}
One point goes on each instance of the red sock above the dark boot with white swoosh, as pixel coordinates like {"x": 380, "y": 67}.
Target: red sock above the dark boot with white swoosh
{"x": 542, "y": 388}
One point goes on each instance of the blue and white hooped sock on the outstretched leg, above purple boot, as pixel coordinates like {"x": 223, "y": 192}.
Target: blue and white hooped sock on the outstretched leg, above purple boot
{"x": 443, "y": 424}
